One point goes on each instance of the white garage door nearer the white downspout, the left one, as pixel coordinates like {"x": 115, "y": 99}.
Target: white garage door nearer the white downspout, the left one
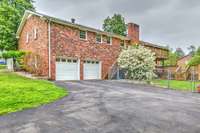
{"x": 67, "y": 69}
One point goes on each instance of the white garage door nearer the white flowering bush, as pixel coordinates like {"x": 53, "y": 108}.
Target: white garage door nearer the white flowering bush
{"x": 92, "y": 70}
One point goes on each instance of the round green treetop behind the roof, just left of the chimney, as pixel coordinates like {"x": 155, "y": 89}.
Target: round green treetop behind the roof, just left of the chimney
{"x": 115, "y": 24}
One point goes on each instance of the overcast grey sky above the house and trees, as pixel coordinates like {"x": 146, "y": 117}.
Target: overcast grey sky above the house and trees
{"x": 175, "y": 23}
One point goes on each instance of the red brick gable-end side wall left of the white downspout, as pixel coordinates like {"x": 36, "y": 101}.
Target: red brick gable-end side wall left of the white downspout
{"x": 38, "y": 47}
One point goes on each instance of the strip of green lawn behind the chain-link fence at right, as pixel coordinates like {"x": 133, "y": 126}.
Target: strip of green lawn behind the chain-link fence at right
{"x": 174, "y": 84}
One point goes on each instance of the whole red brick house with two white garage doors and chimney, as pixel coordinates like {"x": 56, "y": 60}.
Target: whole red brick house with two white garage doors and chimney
{"x": 63, "y": 50}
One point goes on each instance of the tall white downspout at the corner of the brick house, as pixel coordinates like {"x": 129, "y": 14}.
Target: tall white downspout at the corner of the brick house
{"x": 49, "y": 46}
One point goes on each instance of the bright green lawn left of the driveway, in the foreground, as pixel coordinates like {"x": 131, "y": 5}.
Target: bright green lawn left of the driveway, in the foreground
{"x": 18, "y": 93}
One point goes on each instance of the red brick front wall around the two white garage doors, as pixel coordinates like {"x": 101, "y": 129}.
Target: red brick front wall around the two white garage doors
{"x": 65, "y": 42}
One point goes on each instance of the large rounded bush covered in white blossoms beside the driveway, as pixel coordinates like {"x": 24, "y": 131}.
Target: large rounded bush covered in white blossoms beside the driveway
{"x": 139, "y": 63}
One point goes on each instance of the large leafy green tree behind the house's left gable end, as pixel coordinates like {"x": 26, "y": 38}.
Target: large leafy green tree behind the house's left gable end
{"x": 11, "y": 12}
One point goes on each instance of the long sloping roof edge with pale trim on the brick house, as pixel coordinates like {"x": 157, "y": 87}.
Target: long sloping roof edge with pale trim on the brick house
{"x": 28, "y": 13}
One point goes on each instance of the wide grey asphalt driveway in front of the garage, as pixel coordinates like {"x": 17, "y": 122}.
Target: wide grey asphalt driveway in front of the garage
{"x": 110, "y": 107}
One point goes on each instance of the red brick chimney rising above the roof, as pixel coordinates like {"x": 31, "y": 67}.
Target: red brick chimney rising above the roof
{"x": 134, "y": 32}
